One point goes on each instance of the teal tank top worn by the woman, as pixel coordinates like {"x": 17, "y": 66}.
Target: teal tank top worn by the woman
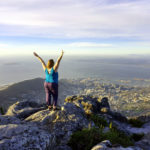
{"x": 51, "y": 77}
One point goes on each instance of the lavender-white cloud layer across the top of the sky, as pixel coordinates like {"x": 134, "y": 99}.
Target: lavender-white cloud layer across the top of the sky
{"x": 76, "y": 19}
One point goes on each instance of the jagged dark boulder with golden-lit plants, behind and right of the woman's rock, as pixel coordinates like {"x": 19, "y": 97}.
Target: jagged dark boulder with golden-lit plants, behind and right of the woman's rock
{"x": 95, "y": 105}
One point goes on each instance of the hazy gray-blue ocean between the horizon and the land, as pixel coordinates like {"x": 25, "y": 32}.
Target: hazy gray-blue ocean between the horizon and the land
{"x": 18, "y": 68}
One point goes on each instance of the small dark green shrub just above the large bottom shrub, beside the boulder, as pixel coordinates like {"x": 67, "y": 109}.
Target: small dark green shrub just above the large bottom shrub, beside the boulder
{"x": 99, "y": 121}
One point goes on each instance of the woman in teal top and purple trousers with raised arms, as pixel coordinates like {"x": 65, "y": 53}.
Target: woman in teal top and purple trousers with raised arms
{"x": 51, "y": 80}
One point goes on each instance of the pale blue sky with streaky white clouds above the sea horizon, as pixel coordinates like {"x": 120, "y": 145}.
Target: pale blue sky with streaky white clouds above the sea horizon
{"x": 109, "y": 27}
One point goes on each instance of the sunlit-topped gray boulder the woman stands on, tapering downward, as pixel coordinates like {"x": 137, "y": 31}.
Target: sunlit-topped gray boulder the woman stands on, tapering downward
{"x": 61, "y": 123}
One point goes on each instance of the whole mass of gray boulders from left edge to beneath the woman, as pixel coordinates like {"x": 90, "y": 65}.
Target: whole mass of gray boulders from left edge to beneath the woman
{"x": 39, "y": 129}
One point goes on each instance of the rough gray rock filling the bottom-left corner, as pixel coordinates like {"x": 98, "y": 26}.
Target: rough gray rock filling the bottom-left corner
{"x": 24, "y": 137}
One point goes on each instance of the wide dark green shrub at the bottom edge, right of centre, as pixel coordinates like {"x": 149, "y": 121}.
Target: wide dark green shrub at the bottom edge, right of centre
{"x": 87, "y": 138}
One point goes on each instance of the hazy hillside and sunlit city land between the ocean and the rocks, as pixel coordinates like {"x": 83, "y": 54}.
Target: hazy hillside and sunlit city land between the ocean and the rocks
{"x": 128, "y": 100}
